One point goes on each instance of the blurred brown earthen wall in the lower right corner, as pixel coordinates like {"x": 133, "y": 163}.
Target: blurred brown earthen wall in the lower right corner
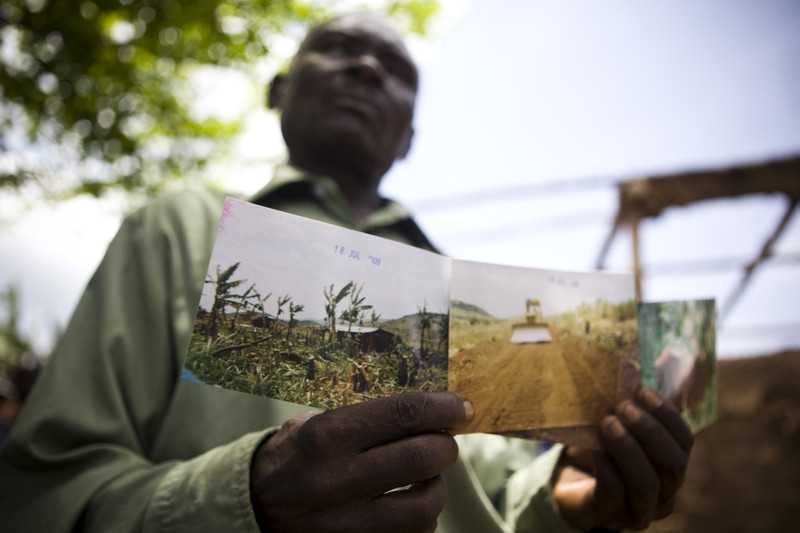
{"x": 744, "y": 474}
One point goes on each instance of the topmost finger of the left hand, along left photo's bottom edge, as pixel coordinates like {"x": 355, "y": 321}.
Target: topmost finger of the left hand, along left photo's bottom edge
{"x": 356, "y": 428}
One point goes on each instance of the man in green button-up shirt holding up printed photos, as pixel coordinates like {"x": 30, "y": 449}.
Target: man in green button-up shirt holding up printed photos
{"x": 111, "y": 439}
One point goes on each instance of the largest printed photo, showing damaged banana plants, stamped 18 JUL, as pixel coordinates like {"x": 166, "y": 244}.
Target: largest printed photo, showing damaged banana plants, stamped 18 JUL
{"x": 317, "y": 315}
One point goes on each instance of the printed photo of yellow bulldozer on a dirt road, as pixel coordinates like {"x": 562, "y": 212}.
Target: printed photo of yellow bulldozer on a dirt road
{"x": 539, "y": 349}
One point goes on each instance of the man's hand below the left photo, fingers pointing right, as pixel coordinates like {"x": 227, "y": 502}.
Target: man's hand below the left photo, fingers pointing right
{"x": 335, "y": 471}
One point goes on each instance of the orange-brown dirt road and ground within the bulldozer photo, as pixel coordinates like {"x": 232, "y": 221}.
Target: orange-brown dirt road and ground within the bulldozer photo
{"x": 568, "y": 382}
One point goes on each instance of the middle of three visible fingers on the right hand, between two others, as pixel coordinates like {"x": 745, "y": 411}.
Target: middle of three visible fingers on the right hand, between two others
{"x": 667, "y": 457}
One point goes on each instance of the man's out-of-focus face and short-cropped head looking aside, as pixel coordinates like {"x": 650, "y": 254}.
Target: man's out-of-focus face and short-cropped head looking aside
{"x": 348, "y": 99}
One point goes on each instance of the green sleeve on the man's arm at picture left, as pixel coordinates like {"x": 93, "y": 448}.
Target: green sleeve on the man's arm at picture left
{"x": 78, "y": 457}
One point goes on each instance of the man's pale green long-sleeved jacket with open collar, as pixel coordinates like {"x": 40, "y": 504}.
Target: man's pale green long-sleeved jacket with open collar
{"x": 111, "y": 439}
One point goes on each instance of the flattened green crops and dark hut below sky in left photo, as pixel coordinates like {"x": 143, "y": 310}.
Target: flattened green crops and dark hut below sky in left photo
{"x": 352, "y": 357}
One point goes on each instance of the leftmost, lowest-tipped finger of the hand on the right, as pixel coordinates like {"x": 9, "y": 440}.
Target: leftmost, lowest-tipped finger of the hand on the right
{"x": 637, "y": 474}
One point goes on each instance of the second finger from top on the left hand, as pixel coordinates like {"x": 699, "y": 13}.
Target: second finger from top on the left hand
{"x": 400, "y": 463}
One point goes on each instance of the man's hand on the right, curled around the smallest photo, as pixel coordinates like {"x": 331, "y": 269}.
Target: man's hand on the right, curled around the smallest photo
{"x": 635, "y": 478}
